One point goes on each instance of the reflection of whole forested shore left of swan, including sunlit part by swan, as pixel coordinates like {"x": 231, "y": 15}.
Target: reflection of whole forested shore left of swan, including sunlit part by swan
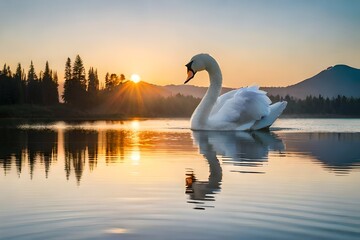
{"x": 39, "y": 148}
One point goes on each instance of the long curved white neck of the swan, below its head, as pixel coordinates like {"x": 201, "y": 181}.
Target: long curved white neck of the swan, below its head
{"x": 202, "y": 112}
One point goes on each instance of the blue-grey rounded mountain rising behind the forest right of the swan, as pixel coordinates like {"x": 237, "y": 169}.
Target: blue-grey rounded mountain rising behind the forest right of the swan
{"x": 331, "y": 82}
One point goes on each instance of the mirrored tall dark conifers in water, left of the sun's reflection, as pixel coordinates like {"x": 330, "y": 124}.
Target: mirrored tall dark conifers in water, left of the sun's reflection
{"x": 32, "y": 147}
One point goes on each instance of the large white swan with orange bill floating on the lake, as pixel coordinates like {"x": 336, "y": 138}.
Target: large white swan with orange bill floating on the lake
{"x": 242, "y": 109}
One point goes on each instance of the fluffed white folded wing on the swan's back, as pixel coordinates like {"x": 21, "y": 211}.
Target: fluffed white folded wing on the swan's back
{"x": 244, "y": 107}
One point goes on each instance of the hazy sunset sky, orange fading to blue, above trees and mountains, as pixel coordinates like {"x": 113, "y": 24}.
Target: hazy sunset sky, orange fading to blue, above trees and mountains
{"x": 269, "y": 43}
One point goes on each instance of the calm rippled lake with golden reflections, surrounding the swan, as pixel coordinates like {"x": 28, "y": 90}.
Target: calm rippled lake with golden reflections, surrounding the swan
{"x": 157, "y": 179}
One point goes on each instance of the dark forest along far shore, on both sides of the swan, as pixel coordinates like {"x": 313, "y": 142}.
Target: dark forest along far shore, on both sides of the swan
{"x": 35, "y": 95}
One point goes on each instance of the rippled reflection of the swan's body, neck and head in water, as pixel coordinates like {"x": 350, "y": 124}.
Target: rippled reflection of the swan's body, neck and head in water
{"x": 243, "y": 149}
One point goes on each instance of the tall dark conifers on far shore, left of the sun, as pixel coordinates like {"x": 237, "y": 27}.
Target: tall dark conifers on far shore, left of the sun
{"x": 42, "y": 89}
